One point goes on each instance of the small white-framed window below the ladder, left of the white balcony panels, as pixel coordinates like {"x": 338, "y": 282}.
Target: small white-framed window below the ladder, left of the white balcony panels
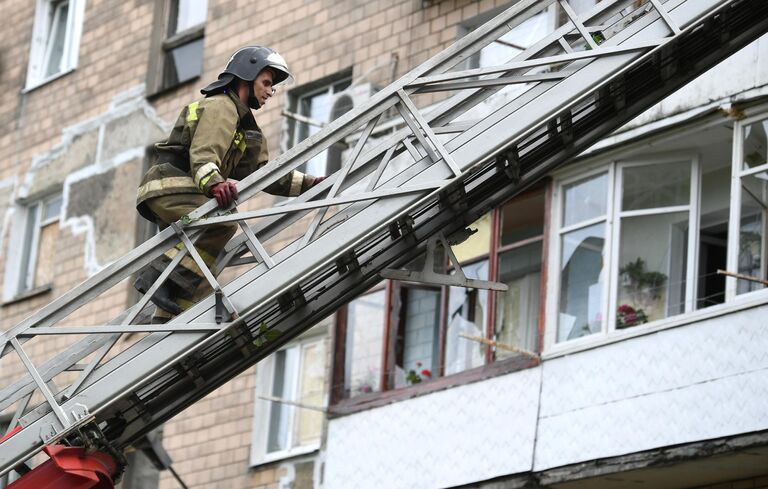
{"x": 290, "y": 398}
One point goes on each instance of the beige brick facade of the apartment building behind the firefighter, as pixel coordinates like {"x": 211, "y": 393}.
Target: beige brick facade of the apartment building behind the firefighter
{"x": 82, "y": 134}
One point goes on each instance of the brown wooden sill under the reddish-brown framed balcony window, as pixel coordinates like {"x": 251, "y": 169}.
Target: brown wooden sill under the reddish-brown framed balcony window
{"x": 378, "y": 399}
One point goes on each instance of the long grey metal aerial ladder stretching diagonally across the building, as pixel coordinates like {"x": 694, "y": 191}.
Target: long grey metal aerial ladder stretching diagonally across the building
{"x": 430, "y": 154}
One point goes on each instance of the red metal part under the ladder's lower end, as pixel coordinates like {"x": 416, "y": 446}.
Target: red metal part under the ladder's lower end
{"x": 70, "y": 468}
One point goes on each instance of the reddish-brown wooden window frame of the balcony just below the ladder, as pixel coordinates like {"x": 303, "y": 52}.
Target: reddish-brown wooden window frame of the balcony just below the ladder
{"x": 339, "y": 405}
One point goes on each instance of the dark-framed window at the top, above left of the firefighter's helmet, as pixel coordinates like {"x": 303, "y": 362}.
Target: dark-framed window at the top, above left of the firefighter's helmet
{"x": 177, "y": 48}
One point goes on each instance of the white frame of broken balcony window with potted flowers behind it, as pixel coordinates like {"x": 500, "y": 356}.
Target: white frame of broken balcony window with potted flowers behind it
{"x": 612, "y": 220}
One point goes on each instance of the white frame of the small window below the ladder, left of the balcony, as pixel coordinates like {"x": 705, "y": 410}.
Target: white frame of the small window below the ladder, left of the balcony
{"x": 263, "y": 407}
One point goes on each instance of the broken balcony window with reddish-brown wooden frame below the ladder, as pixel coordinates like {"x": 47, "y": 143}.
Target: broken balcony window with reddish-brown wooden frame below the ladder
{"x": 411, "y": 333}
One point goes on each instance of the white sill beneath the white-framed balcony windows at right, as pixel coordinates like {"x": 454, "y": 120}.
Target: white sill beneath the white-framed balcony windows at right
{"x": 740, "y": 303}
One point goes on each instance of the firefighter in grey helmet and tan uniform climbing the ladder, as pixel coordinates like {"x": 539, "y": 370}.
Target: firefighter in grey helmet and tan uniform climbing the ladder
{"x": 215, "y": 139}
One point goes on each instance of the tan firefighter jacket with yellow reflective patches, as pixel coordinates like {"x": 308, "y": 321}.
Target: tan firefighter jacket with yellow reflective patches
{"x": 214, "y": 138}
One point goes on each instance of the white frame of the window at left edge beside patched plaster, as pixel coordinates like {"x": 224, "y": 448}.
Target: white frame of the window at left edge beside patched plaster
{"x": 19, "y": 278}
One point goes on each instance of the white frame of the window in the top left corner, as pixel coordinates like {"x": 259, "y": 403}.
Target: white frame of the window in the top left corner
{"x": 39, "y": 53}
